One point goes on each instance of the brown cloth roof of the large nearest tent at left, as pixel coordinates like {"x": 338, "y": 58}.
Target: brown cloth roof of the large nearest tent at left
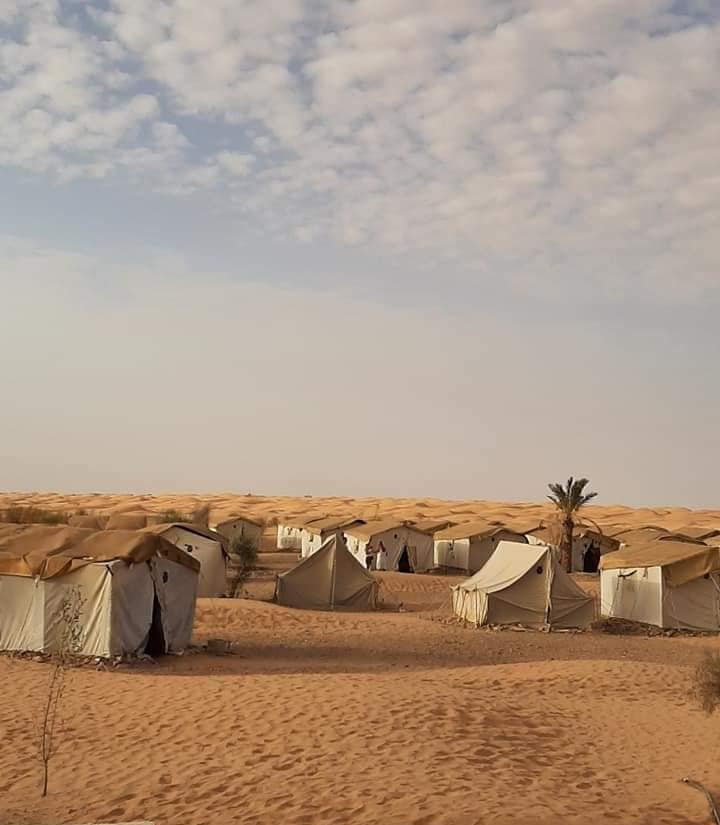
{"x": 35, "y": 550}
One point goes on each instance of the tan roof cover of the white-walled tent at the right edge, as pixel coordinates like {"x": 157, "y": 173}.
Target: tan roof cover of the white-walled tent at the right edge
{"x": 682, "y": 561}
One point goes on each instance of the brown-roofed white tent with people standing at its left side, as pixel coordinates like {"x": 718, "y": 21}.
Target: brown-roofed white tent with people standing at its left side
{"x": 405, "y": 548}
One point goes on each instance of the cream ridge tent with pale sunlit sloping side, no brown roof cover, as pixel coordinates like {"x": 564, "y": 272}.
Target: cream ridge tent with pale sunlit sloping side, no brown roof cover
{"x": 522, "y": 584}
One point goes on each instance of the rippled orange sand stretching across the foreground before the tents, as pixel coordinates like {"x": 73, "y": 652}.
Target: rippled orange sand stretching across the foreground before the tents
{"x": 380, "y": 717}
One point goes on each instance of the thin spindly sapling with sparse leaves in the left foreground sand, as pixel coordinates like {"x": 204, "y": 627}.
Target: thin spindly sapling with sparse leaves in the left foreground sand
{"x": 68, "y": 645}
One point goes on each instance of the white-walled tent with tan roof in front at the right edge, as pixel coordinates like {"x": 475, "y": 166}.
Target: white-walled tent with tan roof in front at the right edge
{"x": 672, "y": 584}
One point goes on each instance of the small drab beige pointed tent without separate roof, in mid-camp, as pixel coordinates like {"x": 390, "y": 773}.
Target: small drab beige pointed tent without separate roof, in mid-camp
{"x": 327, "y": 579}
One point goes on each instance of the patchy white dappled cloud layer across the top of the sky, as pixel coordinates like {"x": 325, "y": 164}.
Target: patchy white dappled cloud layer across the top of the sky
{"x": 548, "y": 144}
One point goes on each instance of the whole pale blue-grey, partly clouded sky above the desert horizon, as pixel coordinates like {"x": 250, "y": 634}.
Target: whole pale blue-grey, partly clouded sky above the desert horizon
{"x": 449, "y": 248}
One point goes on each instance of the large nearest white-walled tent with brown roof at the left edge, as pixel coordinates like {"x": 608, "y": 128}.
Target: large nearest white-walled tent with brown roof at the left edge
{"x": 133, "y": 591}
